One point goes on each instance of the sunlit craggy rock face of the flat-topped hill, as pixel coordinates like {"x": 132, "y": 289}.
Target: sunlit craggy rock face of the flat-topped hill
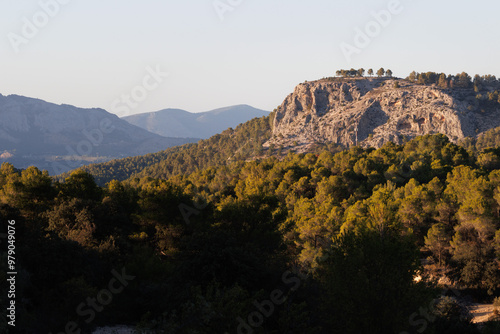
{"x": 371, "y": 112}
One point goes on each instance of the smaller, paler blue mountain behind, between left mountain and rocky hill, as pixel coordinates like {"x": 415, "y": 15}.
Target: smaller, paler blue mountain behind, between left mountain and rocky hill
{"x": 181, "y": 123}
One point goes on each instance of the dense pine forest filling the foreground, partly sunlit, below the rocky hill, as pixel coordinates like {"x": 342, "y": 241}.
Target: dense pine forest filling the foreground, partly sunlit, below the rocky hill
{"x": 331, "y": 242}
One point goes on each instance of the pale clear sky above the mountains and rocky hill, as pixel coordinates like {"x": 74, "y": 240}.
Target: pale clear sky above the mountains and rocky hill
{"x": 131, "y": 56}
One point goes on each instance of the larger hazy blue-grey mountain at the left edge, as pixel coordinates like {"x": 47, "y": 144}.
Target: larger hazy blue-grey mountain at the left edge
{"x": 62, "y": 137}
